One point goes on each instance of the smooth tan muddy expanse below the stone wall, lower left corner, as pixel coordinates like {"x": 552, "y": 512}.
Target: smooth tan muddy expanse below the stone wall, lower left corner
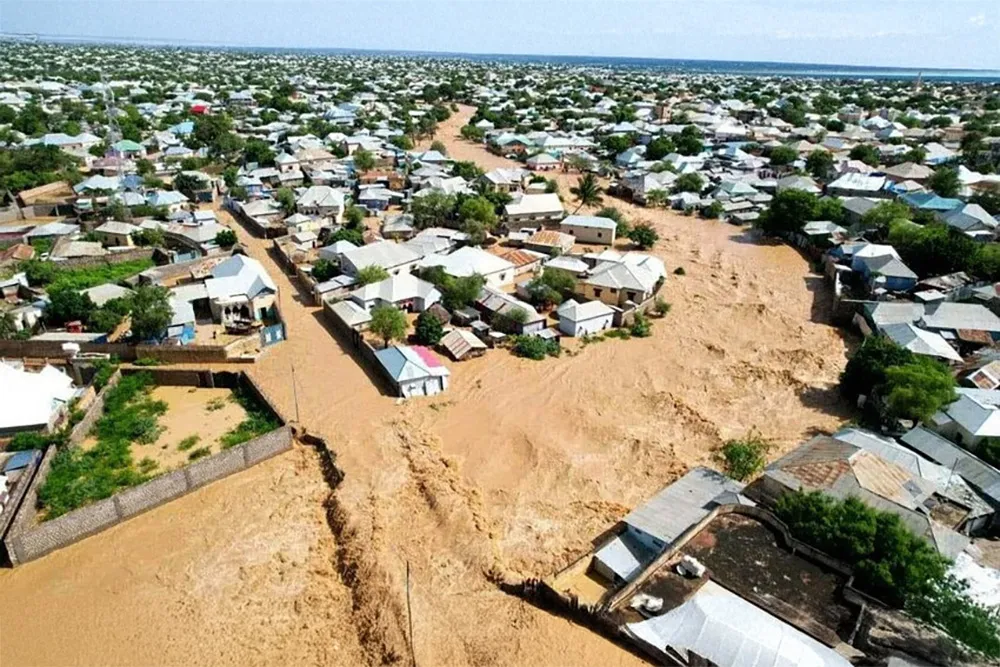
{"x": 193, "y": 583}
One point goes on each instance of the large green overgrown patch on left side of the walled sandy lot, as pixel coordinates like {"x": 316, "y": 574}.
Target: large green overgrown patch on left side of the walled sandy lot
{"x": 79, "y": 477}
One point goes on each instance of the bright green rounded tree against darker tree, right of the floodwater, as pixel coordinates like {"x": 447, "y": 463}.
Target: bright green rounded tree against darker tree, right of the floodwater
{"x": 918, "y": 389}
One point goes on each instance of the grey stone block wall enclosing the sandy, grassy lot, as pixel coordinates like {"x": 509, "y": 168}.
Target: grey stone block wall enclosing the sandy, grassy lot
{"x": 27, "y": 540}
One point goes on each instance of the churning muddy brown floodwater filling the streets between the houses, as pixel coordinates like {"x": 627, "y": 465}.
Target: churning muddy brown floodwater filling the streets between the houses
{"x": 507, "y": 476}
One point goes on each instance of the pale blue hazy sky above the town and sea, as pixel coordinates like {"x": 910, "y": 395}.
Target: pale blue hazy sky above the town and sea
{"x": 897, "y": 33}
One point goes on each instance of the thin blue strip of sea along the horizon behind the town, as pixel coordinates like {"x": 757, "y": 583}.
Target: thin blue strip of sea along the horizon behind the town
{"x": 148, "y": 42}
